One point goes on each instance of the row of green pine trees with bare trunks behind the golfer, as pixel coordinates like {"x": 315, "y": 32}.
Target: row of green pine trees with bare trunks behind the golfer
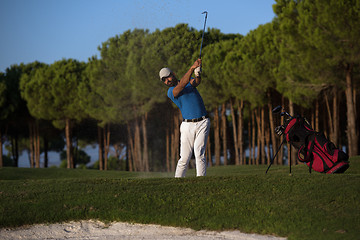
{"x": 306, "y": 59}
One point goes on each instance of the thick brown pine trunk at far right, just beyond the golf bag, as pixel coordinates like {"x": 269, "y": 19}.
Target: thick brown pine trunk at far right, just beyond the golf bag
{"x": 351, "y": 114}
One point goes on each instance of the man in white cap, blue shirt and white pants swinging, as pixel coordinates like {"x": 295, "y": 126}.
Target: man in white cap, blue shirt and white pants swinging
{"x": 195, "y": 128}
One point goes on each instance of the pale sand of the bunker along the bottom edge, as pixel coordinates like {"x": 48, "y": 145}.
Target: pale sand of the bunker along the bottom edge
{"x": 91, "y": 230}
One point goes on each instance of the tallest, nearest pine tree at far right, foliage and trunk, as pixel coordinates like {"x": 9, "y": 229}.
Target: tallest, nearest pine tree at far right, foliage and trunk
{"x": 319, "y": 50}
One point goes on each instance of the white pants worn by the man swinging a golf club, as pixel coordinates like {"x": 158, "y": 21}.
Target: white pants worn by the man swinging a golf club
{"x": 193, "y": 139}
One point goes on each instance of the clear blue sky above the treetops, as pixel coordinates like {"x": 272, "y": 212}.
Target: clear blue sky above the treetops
{"x": 52, "y": 30}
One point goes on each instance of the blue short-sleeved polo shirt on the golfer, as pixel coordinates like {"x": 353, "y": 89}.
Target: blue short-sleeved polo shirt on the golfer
{"x": 189, "y": 102}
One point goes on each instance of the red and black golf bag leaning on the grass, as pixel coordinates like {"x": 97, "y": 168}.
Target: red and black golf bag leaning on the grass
{"x": 314, "y": 148}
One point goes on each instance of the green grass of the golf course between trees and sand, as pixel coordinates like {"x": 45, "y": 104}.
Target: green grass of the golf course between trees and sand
{"x": 297, "y": 206}
